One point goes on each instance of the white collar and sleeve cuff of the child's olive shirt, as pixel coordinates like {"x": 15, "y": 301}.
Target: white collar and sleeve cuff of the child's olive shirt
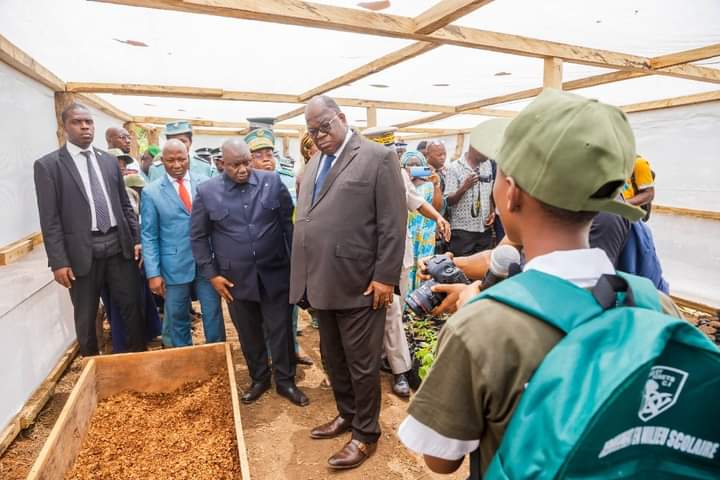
{"x": 580, "y": 267}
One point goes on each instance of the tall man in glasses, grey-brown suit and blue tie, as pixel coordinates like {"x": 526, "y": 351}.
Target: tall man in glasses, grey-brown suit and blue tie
{"x": 347, "y": 253}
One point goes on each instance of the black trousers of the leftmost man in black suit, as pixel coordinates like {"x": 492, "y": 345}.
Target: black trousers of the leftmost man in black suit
{"x": 108, "y": 268}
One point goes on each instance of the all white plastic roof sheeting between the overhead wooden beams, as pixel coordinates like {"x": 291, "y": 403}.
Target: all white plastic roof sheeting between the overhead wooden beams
{"x": 196, "y": 50}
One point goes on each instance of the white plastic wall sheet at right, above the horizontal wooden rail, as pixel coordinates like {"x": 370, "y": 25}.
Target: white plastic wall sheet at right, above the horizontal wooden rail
{"x": 683, "y": 147}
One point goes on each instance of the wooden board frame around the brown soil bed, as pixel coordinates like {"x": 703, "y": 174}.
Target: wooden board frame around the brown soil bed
{"x": 147, "y": 373}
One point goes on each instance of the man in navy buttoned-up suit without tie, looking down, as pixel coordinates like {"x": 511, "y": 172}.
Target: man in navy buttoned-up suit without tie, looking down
{"x": 241, "y": 236}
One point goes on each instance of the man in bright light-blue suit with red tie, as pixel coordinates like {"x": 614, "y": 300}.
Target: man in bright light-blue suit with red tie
{"x": 169, "y": 265}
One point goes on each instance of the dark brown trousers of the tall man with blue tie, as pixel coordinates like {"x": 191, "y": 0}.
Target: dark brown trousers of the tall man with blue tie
{"x": 352, "y": 342}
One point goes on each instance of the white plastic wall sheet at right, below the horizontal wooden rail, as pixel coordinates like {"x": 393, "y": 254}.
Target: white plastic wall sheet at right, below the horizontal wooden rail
{"x": 689, "y": 252}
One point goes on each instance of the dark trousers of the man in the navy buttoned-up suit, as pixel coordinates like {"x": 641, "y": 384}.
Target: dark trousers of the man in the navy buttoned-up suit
{"x": 252, "y": 321}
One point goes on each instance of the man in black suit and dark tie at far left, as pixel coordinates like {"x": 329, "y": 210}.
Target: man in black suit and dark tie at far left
{"x": 90, "y": 229}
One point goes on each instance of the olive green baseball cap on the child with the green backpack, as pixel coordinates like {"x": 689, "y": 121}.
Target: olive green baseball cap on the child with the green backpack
{"x": 562, "y": 148}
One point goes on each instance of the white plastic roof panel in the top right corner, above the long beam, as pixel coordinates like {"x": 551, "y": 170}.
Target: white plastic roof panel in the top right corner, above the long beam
{"x": 640, "y": 27}
